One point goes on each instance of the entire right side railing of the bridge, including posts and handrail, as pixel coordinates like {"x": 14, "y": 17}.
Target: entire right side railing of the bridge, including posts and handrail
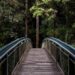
{"x": 63, "y": 54}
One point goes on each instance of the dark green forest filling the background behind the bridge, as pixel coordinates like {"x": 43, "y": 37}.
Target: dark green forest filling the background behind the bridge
{"x": 56, "y": 18}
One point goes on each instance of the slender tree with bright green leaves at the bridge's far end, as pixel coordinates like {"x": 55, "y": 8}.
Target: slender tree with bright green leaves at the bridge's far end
{"x": 39, "y": 9}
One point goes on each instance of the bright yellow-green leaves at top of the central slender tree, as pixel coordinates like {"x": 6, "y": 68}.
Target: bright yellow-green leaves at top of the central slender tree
{"x": 38, "y": 9}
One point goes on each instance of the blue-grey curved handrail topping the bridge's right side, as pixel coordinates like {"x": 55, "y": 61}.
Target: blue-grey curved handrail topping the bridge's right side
{"x": 68, "y": 48}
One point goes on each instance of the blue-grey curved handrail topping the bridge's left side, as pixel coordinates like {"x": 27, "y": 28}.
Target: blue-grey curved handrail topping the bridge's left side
{"x": 7, "y": 48}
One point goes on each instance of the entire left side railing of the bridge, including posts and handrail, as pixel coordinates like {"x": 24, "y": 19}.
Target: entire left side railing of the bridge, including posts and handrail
{"x": 11, "y": 53}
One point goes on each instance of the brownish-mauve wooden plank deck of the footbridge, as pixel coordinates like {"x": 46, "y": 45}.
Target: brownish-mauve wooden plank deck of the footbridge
{"x": 37, "y": 62}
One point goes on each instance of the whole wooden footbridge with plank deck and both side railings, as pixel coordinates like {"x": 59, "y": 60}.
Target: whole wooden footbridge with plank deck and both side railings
{"x": 55, "y": 57}
